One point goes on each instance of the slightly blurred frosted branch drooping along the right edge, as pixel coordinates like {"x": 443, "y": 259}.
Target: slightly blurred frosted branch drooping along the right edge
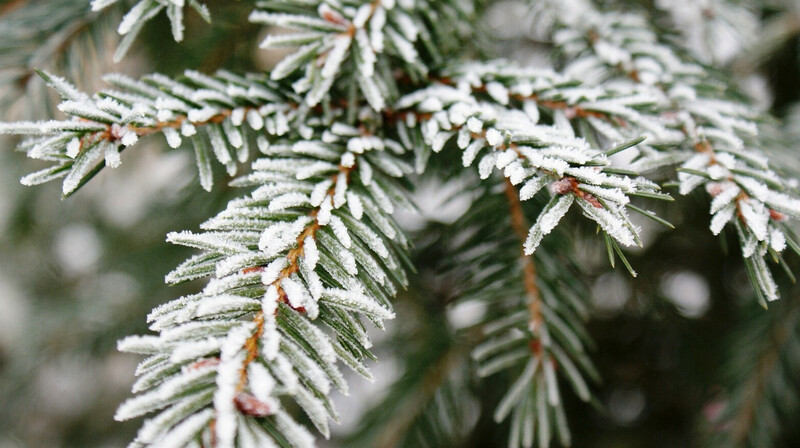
{"x": 720, "y": 135}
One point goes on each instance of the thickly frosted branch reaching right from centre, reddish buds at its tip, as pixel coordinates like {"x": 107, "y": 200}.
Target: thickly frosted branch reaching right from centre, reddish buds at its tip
{"x": 495, "y": 115}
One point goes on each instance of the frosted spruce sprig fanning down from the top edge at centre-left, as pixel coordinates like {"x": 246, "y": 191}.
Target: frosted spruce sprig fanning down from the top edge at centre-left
{"x": 359, "y": 42}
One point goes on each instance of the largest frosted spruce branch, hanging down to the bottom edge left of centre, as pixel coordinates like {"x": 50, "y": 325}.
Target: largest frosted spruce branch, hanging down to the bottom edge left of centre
{"x": 312, "y": 244}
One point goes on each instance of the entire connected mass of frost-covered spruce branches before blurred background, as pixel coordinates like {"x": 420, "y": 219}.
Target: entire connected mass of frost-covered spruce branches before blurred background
{"x": 331, "y": 140}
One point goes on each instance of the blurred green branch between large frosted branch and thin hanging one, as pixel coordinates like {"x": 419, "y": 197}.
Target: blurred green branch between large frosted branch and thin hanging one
{"x": 431, "y": 403}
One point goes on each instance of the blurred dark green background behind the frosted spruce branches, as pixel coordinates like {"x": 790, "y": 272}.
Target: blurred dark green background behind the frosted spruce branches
{"x": 685, "y": 352}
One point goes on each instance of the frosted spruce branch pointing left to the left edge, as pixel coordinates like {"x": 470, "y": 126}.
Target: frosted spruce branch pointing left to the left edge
{"x": 215, "y": 113}
